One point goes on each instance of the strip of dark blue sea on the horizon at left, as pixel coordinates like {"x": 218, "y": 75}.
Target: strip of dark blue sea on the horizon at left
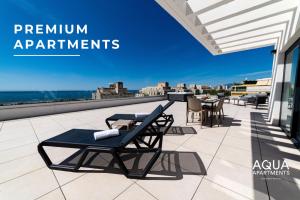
{"x": 26, "y": 97}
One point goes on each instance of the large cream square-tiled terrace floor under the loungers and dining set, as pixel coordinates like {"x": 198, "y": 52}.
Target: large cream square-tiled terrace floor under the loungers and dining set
{"x": 207, "y": 163}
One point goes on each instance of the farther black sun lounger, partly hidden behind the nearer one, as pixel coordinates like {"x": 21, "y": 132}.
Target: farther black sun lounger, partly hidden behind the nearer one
{"x": 165, "y": 120}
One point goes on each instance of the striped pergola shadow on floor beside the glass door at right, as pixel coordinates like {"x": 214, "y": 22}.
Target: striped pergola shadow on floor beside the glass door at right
{"x": 274, "y": 145}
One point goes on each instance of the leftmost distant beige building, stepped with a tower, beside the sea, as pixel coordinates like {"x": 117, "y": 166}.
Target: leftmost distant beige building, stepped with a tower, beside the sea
{"x": 115, "y": 90}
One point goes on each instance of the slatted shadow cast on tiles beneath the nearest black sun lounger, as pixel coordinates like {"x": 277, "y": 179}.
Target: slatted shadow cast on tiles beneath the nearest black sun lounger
{"x": 171, "y": 165}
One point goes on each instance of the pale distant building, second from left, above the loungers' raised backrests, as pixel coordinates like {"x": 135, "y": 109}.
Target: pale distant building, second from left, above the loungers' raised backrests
{"x": 161, "y": 89}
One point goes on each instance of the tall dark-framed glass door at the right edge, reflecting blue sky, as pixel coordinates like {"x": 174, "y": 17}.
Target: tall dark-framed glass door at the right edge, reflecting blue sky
{"x": 289, "y": 119}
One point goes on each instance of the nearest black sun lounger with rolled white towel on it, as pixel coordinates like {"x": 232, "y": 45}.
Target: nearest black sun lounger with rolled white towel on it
{"x": 84, "y": 140}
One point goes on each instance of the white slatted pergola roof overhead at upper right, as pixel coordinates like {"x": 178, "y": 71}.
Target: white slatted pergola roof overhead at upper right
{"x": 225, "y": 26}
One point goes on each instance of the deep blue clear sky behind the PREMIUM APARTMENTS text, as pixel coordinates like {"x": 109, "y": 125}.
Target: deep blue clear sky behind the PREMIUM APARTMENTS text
{"x": 153, "y": 47}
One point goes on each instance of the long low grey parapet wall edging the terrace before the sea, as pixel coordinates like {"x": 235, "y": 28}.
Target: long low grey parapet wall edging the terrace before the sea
{"x": 40, "y": 109}
